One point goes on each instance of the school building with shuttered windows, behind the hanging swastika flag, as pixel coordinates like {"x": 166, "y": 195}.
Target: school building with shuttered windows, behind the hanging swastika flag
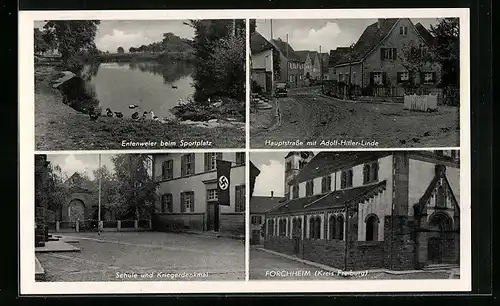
{"x": 187, "y": 193}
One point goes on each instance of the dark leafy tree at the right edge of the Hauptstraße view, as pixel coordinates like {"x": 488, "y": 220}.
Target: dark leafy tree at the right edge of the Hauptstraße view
{"x": 446, "y": 49}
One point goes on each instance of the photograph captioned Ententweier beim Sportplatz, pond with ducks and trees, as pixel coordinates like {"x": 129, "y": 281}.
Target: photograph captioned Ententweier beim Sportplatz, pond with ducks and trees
{"x": 139, "y": 84}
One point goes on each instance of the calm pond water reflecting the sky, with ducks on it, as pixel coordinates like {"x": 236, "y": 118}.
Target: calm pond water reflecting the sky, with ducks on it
{"x": 152, "y": 86}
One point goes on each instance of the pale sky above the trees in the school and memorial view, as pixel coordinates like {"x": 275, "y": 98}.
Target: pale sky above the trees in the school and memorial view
{"x": 71, "y": 163}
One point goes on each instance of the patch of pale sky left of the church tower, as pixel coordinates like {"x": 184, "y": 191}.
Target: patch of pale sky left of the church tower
{"x": 272, "y": 173}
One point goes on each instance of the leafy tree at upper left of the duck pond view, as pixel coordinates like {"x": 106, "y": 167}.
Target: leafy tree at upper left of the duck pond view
{"x": 71, "y": 36}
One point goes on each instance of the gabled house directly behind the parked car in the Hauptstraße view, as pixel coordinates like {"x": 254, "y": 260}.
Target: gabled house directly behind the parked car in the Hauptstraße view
{"x": 291, "y": 65}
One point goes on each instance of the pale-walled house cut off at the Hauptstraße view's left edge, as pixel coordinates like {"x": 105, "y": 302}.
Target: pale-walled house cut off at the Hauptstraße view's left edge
{"x": 262, "y": 62}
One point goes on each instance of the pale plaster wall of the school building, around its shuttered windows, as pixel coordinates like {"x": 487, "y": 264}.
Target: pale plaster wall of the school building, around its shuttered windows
{"x": 196, "y": 182}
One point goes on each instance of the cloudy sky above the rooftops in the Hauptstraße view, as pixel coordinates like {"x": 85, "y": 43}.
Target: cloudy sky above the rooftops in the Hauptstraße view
{"x": 310, "y": 34}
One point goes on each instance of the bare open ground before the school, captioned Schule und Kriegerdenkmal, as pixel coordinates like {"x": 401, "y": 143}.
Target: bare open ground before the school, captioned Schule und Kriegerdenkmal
{"x": 114, "y": 256}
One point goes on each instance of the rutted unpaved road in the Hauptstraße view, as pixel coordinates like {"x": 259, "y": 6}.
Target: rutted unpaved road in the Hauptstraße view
{"x": 306, "y": 115}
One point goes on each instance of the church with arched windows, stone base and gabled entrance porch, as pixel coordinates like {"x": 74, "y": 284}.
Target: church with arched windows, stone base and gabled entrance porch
{"x": 366, "y": 210}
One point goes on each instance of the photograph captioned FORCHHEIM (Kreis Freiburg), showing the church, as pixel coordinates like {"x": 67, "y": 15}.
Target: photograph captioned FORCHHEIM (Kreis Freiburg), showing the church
{"x": 364, "y": 215}
